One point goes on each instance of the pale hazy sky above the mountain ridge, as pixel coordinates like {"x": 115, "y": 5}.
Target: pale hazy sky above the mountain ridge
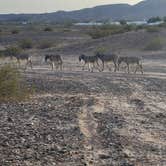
{"x": 45, "y": 6}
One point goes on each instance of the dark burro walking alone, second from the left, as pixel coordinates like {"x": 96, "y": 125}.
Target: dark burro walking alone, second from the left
{"x": 54, "y": 60}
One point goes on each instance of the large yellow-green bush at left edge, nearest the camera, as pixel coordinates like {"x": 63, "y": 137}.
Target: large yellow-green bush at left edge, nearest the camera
{"x": 12, "y": 86}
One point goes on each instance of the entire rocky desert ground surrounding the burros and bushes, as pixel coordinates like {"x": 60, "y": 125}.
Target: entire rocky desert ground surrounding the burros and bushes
{"x": 79, "y": 118}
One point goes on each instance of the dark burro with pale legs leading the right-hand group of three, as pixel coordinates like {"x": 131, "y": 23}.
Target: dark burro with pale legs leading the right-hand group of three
{"x": 90, "y": 60}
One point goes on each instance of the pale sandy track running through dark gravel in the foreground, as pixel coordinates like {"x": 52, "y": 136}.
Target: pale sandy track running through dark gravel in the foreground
{"x": 88, "y": 126}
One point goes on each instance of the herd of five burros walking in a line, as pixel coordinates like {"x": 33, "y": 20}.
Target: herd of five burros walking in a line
{"x": 92, "y": 62}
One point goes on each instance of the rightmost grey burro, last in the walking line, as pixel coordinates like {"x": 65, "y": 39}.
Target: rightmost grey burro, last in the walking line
{"x": 131, "y": 60}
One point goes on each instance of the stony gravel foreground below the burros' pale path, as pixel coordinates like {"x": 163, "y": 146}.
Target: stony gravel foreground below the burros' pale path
{"x": 81, "y": 118}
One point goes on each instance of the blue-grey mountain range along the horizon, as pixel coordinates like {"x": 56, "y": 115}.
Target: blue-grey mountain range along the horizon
{"x": 143, "y": 10}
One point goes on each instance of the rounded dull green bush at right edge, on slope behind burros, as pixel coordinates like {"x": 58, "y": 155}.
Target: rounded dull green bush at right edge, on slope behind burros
{"x": 155, "y": 45}
